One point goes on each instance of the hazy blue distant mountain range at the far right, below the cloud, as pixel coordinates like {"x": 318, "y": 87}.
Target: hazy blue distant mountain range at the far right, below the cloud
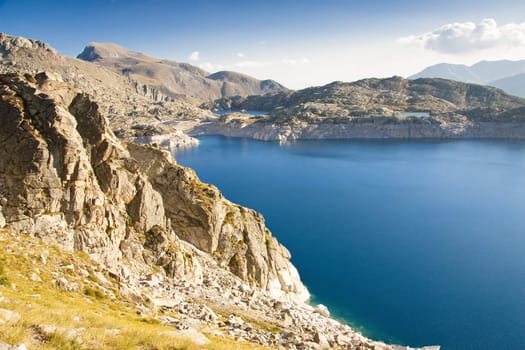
{"x": 505, "y": 74}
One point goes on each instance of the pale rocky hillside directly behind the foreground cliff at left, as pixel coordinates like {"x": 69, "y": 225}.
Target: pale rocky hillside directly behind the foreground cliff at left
{"x": 133, "y": 108}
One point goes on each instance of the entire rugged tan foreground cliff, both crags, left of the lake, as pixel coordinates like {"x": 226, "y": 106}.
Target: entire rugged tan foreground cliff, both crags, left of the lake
{"x": 66, "y": 178}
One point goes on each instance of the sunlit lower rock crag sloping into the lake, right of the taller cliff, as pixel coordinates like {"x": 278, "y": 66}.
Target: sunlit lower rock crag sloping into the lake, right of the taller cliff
{"x": 235, "y": 236}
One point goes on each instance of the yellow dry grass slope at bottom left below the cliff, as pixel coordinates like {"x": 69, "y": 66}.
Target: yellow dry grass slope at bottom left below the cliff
{"x": 88, "y": 318}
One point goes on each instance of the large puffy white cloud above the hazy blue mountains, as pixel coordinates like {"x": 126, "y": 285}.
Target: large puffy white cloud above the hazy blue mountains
{"x": 457, "y": 38}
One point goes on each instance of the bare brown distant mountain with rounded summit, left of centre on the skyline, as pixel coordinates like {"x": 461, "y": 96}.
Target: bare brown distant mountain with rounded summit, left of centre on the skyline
{"x": 175, "y": 79}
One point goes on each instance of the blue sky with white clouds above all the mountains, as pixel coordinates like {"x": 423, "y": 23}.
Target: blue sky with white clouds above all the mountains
{"x": 298, "y": 43}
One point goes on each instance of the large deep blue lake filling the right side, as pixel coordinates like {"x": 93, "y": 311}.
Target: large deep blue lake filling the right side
{"x": 415, "y": 243}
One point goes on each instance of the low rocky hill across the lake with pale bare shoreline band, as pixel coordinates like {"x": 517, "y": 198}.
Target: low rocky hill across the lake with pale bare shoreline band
{"x": 376, "y": 109}
